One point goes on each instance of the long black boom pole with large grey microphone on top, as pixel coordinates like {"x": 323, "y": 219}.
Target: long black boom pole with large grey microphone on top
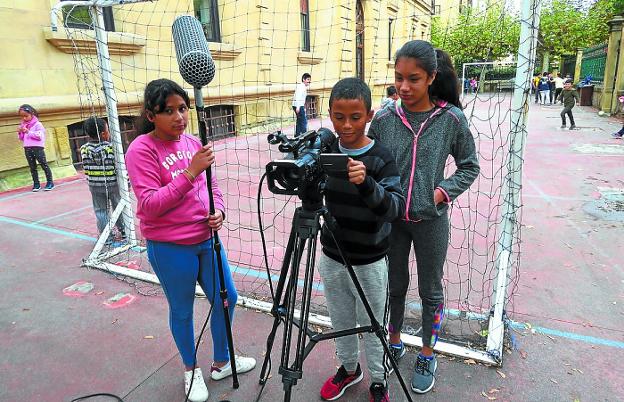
{"x": 197, "y": 68}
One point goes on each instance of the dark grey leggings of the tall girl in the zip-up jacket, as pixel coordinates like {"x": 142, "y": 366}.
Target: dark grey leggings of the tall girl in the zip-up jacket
{"x": 430, "y": 241}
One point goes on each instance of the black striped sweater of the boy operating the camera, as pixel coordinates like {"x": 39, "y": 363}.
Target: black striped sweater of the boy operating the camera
{"x": 364, "y": 212}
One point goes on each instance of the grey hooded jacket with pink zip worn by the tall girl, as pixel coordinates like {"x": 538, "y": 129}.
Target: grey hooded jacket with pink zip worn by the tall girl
{"x": 421, "y": 143}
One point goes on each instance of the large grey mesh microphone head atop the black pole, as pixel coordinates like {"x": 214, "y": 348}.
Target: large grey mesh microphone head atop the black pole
{"x": 194, "y": 58}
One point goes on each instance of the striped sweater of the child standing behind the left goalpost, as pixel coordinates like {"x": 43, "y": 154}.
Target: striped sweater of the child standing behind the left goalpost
{"x": 98, "y": 162}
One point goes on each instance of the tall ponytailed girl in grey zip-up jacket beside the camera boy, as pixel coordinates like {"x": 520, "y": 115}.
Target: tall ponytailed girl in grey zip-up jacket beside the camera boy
{"x": 421, "y": 130}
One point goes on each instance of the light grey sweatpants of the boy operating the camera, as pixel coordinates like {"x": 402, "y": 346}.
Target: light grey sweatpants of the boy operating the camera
{"x": 347, "y": 311}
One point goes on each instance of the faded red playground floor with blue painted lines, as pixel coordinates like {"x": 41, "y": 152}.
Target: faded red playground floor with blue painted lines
{"x": 56, "y": 348}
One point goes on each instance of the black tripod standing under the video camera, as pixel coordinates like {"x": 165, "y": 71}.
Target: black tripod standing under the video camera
{"x": 303, "y": 235}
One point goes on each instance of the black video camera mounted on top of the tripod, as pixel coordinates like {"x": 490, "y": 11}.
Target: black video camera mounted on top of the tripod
{"x": 308, "y": 161}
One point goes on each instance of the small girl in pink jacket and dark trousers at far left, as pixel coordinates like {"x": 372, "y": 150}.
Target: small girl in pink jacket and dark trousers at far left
{"x": 32, "y": 134}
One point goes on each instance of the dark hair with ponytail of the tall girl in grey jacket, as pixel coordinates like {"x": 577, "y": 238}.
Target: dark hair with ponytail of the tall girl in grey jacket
{"x": 445, "y": 87}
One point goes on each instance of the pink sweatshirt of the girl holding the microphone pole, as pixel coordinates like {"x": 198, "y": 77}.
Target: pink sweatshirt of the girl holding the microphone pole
{"x": 170, "y": 207}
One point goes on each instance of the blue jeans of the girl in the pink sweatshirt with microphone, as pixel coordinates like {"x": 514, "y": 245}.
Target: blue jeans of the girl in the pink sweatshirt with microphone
{"x": 179, "y": 268}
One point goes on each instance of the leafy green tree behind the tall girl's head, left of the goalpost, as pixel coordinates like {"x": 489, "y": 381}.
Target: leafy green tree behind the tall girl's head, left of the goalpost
{"x": 478, "y": 36}
